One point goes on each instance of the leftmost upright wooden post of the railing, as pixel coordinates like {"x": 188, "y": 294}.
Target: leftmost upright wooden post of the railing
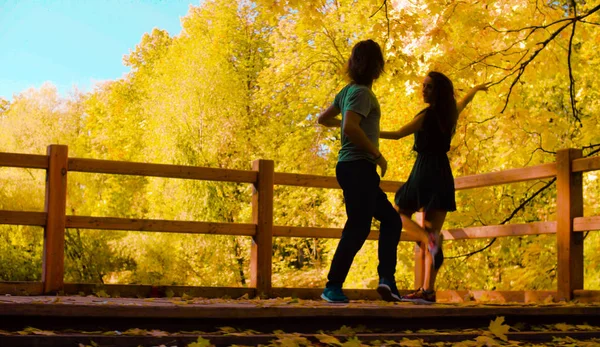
{"x": 53, "y": 267}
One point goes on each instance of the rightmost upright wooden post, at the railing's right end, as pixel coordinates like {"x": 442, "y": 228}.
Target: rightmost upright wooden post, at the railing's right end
{"x": 569, "y": 205}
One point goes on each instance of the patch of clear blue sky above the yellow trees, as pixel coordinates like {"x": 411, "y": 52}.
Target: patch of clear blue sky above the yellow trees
{"x": 75, "y": 42}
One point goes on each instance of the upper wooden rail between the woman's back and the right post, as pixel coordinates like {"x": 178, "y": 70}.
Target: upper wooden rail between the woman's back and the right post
{"x": 506, "y": 176}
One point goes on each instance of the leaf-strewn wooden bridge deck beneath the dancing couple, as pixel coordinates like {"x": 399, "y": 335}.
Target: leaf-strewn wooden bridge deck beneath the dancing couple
{"x": 71, "y": 320}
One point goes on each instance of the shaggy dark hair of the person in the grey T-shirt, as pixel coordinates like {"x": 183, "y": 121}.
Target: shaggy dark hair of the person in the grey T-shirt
{"x": 366, "y": 62}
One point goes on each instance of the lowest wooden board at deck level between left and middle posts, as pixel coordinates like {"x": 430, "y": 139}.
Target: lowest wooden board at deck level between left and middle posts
{"x": 148, "y": 291}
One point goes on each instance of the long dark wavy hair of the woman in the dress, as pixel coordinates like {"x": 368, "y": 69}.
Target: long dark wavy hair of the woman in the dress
{"x": 444, "y": 103}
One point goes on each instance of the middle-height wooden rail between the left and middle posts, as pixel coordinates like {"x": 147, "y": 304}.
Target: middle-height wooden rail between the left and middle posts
{"x": 169, "y": 226}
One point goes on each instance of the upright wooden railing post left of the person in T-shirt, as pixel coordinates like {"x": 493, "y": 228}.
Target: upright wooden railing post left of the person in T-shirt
{"x": 262, "y": 216}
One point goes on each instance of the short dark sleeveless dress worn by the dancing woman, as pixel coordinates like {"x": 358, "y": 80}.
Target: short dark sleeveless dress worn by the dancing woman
{"x": 431, "y": 184}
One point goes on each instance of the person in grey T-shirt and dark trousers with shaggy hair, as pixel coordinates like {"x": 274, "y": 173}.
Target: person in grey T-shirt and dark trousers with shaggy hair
{"x": 356, "y": 174}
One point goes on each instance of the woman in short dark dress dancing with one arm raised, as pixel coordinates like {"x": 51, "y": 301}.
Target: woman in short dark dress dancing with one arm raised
{"x": 430, "y": 185}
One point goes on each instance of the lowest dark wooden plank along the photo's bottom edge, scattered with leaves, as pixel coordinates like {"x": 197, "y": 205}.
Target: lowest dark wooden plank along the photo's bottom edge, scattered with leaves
{"x": 265, "y": 339}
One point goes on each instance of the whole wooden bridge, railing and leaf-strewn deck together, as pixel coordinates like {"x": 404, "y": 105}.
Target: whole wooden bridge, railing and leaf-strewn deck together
{"x": 32, "y": 310}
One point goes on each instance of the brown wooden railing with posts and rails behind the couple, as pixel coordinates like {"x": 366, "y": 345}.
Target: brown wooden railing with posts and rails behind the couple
{"x": 569, "y": 226}
